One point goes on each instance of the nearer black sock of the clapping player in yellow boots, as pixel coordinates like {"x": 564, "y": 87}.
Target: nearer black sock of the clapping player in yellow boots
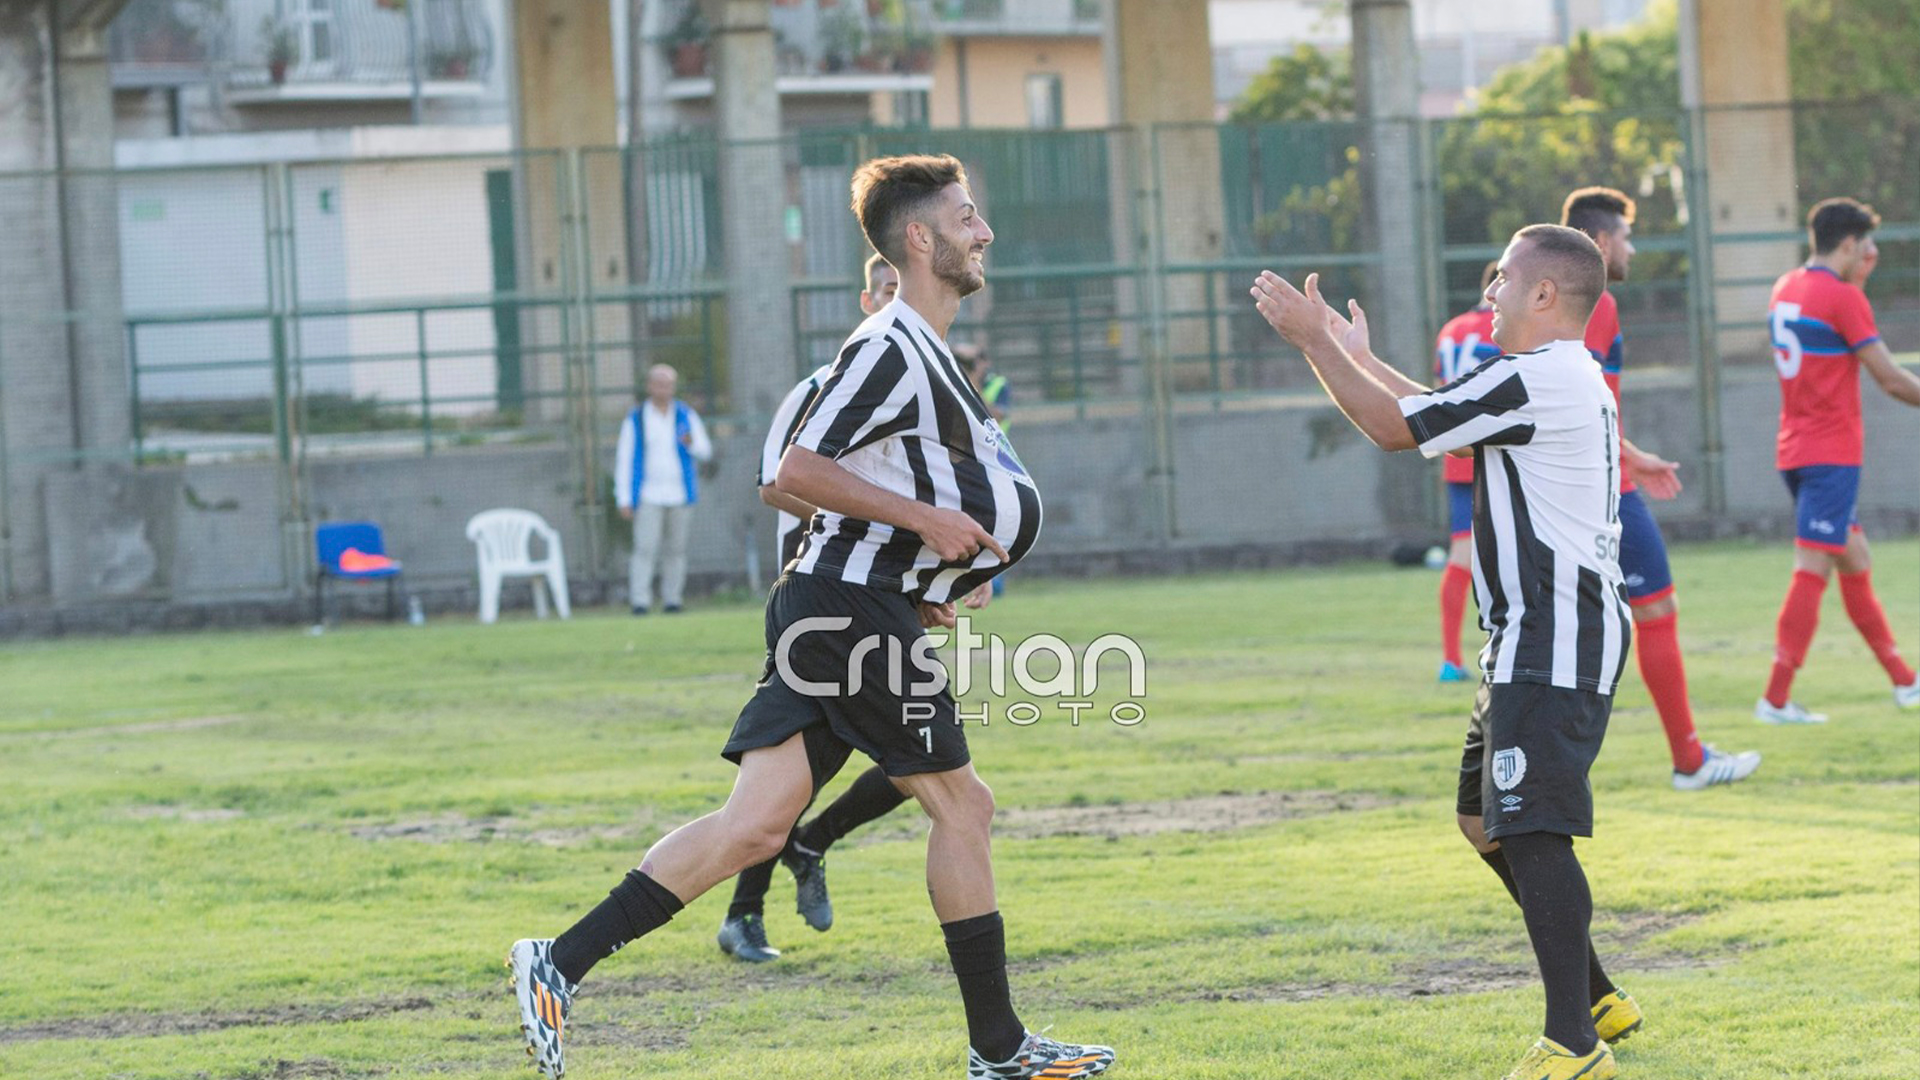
{"x": 1558, "y": 908}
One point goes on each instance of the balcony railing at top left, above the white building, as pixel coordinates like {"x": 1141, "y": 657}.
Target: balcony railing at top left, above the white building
{"x": 350, "y": 47}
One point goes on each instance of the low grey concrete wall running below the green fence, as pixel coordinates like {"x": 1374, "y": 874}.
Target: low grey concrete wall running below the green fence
{"x": 1264, "y": 483}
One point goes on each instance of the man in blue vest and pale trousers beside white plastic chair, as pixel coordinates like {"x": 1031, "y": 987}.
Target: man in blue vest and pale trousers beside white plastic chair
{"x": 656, "y": 487}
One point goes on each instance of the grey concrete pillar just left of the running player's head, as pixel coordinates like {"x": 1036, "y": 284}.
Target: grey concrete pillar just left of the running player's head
{"x": 754, "y": 205}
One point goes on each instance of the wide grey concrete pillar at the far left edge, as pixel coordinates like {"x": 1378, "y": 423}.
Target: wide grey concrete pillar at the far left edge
{"x": 64, "y": 412}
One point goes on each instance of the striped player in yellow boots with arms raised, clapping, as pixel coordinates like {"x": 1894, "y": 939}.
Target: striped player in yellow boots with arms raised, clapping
{"x": 1547, "y": 533}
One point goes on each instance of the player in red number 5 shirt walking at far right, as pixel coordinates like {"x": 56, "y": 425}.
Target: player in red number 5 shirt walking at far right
{"x": 1823, "y": 333}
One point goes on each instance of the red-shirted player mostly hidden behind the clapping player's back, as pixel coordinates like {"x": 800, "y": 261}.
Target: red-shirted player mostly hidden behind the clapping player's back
{"x": 1608, "y": 216}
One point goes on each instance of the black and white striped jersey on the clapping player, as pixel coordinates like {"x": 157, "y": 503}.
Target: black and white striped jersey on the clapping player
{"x": 1547, "y": 512}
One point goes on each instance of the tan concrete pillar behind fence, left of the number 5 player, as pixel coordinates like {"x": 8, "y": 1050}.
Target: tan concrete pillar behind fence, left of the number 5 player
{"x": 1735, "y": 68}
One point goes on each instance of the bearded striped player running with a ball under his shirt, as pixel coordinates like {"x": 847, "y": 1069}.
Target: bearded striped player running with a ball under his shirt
{"x": 921, "y": 503}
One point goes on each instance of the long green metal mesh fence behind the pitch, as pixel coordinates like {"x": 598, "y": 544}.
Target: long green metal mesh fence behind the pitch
{"x": 375, "y": 308}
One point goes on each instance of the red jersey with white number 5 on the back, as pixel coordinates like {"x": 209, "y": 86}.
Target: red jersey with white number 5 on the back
{"x": 1817, "y": 326}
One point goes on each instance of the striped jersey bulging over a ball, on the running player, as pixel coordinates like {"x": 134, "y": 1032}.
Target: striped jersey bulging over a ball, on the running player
{"x": 898, "y": 412}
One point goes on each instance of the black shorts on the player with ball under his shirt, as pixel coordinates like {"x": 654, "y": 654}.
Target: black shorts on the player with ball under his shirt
{"x": 903, "y": 720}
